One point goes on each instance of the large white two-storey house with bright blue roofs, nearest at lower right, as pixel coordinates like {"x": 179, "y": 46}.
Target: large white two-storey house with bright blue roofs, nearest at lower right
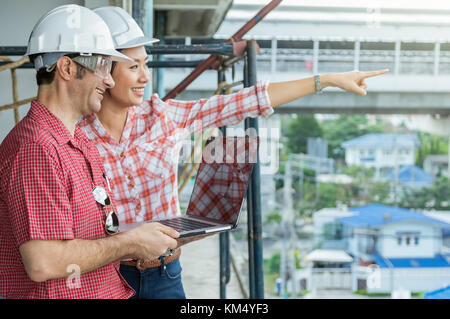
{"x": 404, "y": 248}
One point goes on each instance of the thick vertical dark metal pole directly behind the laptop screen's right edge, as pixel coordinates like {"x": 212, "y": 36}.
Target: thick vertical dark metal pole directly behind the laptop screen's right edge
{"x": 255, "y": 234}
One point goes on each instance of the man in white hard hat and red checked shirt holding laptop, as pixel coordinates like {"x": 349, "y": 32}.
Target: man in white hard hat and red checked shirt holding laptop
{"x": 57, "y": 213}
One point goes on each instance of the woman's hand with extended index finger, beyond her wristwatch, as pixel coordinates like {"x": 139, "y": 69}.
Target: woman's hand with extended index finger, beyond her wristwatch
{"x": 350, "y": 81}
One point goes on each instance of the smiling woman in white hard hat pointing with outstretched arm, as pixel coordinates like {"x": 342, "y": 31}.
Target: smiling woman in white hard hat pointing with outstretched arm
{"x": 139, "y": 140}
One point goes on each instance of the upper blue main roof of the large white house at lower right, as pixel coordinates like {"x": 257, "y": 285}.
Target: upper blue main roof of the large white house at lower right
{"x": 374, "y": 215}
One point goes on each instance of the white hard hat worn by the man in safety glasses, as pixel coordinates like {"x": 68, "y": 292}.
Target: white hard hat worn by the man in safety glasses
{"x": 71, "y": 29}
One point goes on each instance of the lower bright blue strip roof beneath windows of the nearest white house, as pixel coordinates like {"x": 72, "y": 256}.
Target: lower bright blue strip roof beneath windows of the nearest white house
{"x": 436, "y": 261}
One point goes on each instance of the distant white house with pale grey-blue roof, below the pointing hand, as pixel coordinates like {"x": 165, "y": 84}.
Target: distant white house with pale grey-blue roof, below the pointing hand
{"x": 383, "y": 152}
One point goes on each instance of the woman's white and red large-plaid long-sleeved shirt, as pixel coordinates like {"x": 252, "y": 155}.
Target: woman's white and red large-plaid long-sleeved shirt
{"x": 143, "y": 165}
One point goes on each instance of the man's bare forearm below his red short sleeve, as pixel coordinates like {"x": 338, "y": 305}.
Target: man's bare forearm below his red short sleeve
{"x": 49, "y": 259}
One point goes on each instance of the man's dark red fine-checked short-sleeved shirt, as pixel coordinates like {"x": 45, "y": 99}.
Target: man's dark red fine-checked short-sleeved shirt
{"x": 46, "y": 193}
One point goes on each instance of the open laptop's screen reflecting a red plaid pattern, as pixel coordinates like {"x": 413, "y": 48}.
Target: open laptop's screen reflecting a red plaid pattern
{"x": 222, "y": 178}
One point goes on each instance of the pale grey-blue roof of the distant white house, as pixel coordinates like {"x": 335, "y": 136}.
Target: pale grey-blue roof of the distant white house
{"x": 383, "y": 140}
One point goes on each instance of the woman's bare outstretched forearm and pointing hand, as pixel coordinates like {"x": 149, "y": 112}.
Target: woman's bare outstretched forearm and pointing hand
{"x": 284, "y": 92}
